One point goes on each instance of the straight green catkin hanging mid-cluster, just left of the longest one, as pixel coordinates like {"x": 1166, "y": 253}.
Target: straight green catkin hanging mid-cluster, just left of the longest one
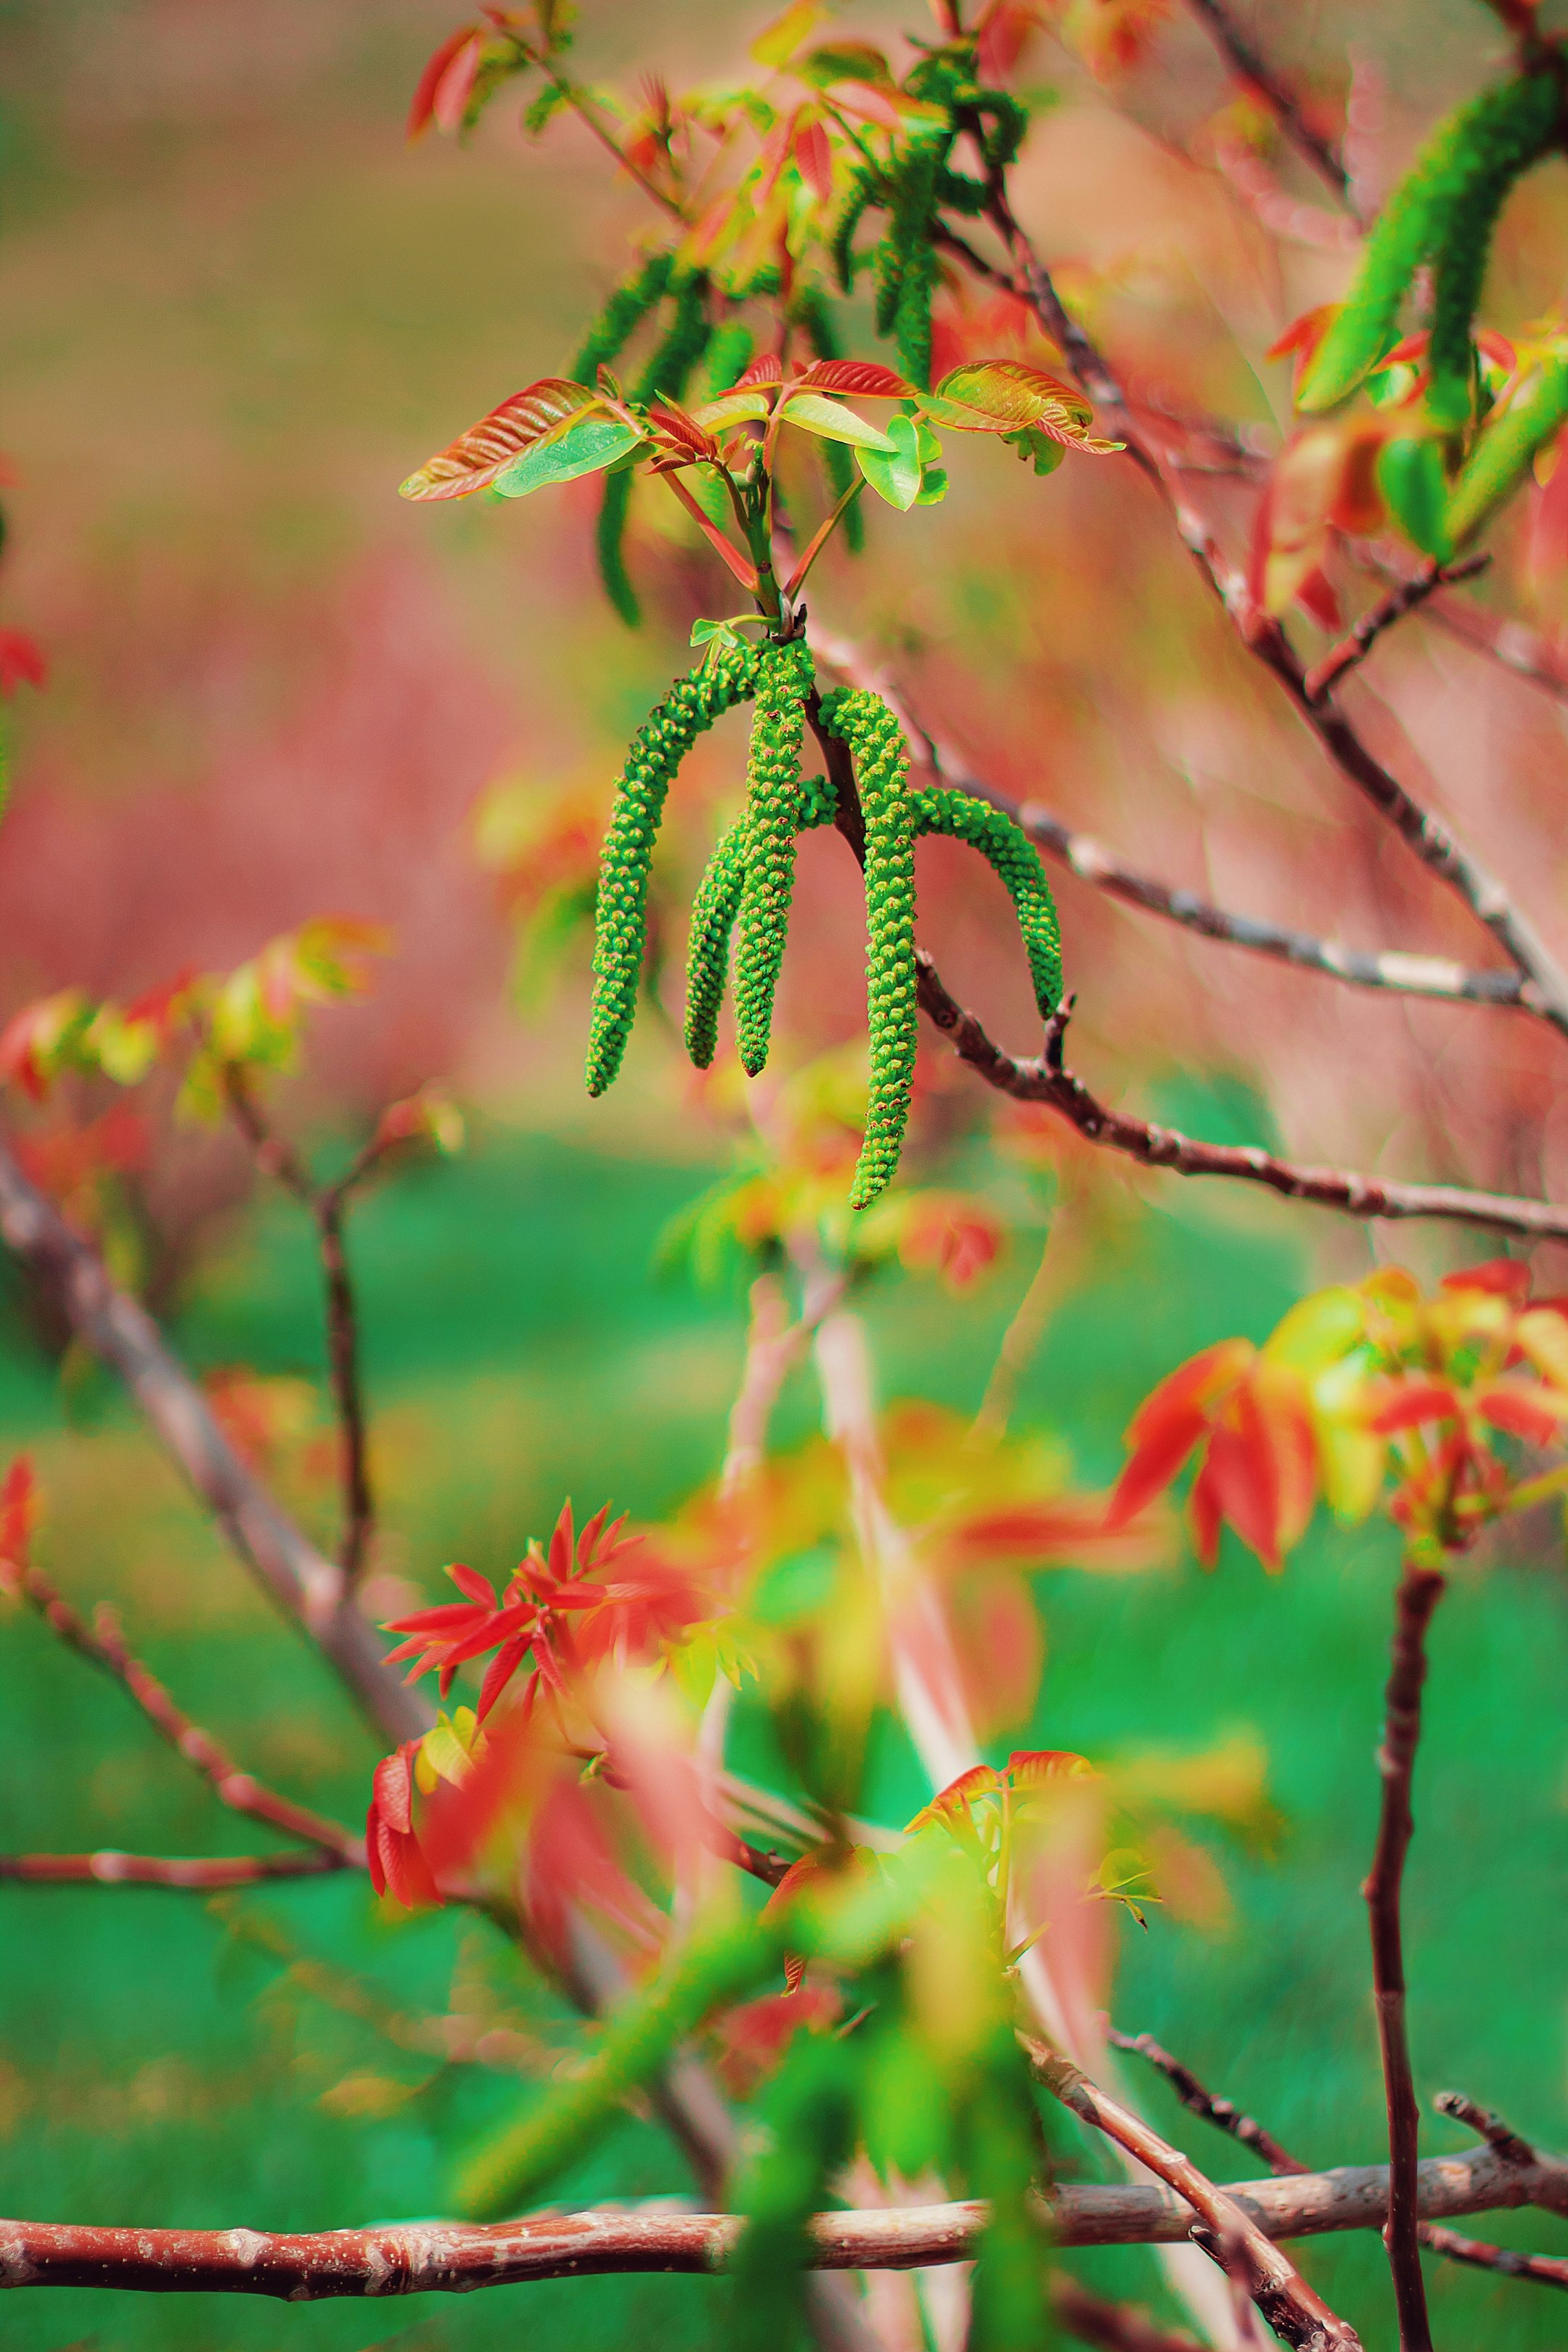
{"x": 772, "y": 822}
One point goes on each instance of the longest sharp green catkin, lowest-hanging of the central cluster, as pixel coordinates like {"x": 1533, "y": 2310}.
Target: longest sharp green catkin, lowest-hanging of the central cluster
{"x": 883, "y": 768}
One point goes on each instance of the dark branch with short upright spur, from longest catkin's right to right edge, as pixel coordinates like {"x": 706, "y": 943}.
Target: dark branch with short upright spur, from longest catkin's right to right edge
{"x": 1184, "y": 1156}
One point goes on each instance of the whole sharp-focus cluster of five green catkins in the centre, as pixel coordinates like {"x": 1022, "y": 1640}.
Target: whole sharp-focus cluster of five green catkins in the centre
{"x": 744, "y": 900}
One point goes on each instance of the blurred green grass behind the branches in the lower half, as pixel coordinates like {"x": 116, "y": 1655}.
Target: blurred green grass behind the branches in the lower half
{"x": 523, "y": 1344}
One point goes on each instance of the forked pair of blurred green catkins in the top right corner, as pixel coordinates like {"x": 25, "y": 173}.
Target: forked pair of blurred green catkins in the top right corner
{"x": 1442, "y": 211}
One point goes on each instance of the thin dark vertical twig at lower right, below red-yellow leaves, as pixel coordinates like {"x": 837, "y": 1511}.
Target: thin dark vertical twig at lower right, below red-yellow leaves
{"x": 1419, "y": 1596}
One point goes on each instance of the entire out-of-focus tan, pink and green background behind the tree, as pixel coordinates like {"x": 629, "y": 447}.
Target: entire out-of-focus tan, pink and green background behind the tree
{"x": 234, "y": 312}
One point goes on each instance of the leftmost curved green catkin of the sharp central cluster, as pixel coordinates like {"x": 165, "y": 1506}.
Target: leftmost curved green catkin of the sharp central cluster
{"x": 622, "y": 911}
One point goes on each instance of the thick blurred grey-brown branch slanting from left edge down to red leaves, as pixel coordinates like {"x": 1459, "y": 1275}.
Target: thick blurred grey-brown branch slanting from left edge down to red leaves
{"x": 114, "y": 1328}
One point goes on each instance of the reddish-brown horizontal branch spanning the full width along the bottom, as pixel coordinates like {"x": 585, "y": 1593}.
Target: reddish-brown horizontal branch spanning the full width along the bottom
{"x": 457, "y": 2257}
